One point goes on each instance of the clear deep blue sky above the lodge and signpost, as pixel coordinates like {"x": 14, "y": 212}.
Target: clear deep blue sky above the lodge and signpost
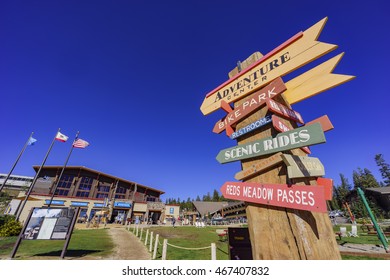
{"x": 131, "y": 76}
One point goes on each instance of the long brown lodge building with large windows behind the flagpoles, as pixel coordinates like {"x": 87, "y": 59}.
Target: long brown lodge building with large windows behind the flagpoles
{"x": 93, "y": 191}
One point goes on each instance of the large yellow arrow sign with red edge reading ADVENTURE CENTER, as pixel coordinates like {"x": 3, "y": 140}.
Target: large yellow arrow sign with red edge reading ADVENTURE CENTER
{"x": 294, "y": 53}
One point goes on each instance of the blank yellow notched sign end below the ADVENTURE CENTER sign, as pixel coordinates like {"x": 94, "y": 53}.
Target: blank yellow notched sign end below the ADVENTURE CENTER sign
{"x": 315, "y": 81}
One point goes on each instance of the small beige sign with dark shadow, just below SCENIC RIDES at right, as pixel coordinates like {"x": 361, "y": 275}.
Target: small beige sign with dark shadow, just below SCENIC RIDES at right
{"x": 303, "y": 166}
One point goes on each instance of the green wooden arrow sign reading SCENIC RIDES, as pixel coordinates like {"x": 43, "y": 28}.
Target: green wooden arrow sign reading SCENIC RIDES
{"x": 296, "y": 138}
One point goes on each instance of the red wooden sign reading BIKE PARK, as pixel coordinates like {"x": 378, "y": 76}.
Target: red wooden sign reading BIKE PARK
{"x": 250, "y": 104}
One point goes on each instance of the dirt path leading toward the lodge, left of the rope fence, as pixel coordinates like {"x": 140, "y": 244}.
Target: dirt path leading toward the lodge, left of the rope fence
{"x": 127, "y": 246}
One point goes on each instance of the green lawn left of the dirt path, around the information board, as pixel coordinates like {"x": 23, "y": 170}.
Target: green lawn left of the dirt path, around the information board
{"x": 94, "y": 243}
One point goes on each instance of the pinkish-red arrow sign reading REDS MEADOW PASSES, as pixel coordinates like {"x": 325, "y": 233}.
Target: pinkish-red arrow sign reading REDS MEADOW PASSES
{"x": 302, "y": 197}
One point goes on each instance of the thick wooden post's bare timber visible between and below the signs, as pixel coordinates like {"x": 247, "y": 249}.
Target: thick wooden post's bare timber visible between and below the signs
{"x": 279, "y": 233}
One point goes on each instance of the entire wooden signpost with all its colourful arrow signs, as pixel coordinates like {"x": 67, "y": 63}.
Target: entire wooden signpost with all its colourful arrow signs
{"x": 273, "y": 146}
